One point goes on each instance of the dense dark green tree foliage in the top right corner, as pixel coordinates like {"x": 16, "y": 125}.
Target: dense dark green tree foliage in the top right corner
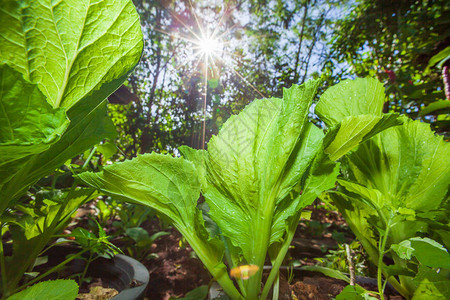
{"x": 394, "y": 41}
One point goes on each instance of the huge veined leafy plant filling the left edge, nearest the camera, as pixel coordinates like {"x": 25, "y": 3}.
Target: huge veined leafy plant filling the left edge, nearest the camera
{"x": 58, "y": 62}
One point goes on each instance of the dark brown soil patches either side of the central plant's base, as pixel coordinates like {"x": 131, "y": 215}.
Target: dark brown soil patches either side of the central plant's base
{"x": 175, "y": 270}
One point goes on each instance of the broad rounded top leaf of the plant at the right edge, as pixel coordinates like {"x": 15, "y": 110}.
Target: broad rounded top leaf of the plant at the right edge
{"x": 408, "y": 164}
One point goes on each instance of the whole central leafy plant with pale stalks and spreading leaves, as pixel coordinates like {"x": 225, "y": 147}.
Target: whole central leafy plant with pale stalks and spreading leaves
{"x": 264, "y": 166}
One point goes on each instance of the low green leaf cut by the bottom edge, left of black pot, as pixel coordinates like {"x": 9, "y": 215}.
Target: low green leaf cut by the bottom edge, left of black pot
{"x": 52, "y": 289}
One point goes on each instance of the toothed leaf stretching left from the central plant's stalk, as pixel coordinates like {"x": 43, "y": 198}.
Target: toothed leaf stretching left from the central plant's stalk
{"x": 167, "y": 184}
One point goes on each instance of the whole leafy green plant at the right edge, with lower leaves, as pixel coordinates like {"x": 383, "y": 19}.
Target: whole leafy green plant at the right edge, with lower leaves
{"x": 393, "y": 190}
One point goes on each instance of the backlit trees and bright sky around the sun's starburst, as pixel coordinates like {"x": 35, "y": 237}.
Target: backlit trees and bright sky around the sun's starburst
{"x": 260, "y": 38}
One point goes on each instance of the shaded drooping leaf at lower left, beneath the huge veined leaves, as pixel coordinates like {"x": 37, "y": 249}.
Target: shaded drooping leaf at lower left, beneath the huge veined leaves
{"x": 32, "y": 225}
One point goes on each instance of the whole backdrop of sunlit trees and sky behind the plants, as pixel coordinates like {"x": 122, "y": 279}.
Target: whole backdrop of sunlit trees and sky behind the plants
{"x": 269, "y": 45}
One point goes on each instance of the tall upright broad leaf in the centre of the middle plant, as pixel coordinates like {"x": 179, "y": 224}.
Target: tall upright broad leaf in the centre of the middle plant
{"x": 254, "y": 163}
